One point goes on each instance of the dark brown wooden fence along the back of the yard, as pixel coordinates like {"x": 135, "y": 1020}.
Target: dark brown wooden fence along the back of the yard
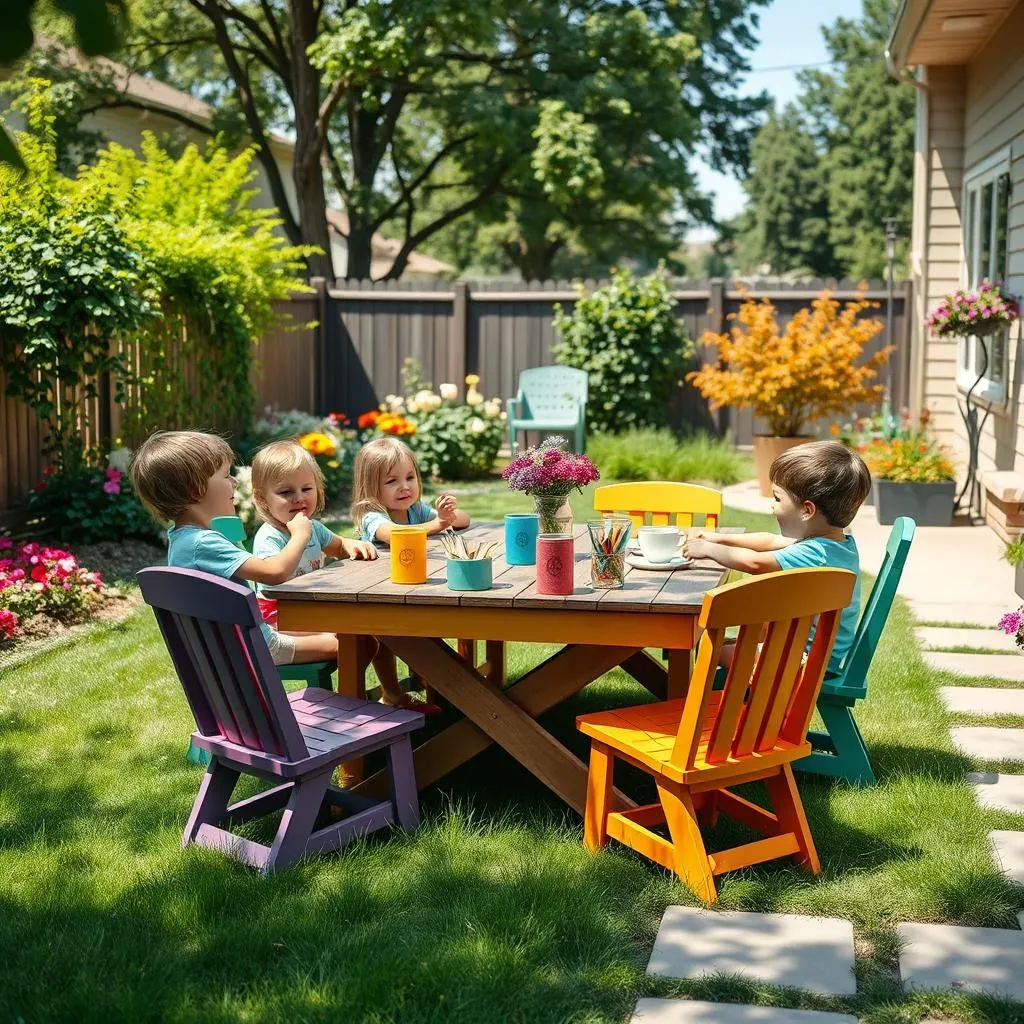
{"x": 499, "y": 330}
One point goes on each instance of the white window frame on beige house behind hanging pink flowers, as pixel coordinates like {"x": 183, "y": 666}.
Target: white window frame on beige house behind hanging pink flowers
{"x": 989, "y": 173}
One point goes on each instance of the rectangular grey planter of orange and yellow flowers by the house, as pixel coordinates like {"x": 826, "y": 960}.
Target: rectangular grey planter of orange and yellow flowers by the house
{"x": 914, "y": 477}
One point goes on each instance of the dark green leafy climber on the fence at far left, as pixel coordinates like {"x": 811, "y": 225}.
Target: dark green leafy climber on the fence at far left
{"x": 71, "y": 280}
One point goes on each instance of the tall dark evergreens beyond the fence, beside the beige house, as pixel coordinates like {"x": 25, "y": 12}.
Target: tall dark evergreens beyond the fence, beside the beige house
{"x": 854, "y": 159}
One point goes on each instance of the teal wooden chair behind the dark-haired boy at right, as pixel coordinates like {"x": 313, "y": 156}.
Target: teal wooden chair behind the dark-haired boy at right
{"x": 841, "y": 752}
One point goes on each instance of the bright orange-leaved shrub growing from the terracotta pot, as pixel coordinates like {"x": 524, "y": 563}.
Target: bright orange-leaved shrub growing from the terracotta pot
{"x": 795, "y": 376}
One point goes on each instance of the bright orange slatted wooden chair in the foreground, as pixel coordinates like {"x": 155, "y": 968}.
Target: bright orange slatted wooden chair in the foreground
{"x": 699, "y": 748}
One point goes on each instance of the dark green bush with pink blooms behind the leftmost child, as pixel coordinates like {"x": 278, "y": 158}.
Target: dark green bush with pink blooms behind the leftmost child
{"x": 87, "y": 506}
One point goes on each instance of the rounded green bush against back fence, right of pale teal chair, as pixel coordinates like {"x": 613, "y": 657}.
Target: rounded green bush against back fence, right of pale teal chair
{"x": 628, "y": 339}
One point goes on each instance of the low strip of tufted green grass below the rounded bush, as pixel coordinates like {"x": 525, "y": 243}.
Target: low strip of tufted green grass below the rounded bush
{"x": 660, "y": 455}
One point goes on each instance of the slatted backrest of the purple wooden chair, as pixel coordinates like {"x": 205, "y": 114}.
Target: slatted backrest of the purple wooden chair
{"x": 212, "y": 630}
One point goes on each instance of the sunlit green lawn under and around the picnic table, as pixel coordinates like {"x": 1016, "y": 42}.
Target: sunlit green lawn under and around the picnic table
{"x": 492, "y": 912}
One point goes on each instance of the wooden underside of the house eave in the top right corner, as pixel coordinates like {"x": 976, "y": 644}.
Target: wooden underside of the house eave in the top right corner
{"x": 931, "y": 32}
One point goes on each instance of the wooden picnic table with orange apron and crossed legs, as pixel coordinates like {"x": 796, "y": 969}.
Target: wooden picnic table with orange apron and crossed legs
{"x": 599, "y": 630}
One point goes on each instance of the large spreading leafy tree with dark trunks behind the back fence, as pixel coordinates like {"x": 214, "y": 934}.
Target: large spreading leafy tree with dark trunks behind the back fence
{"x": 580, "y": 112}
